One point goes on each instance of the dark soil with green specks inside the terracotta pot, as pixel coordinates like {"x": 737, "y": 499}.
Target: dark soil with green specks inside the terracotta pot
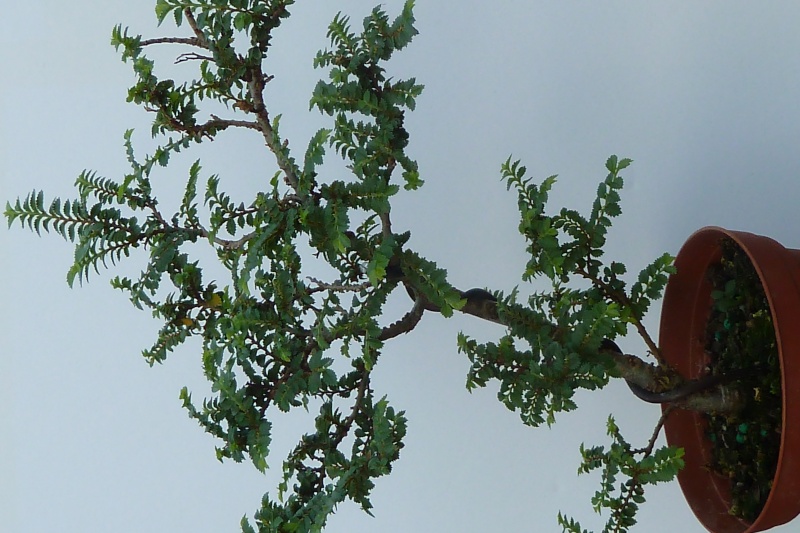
{"x": 740, "y": 338}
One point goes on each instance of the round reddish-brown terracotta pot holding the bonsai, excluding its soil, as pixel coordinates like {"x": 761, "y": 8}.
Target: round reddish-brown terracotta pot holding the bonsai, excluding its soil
{"x": 686, "y": 307}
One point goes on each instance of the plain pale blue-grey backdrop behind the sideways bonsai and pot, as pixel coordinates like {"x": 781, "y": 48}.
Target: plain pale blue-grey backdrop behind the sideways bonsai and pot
{"x": 703, "y": 96}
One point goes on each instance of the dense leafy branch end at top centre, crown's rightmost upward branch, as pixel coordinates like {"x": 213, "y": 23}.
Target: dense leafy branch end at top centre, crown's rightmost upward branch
{"x": 358, "y": 87}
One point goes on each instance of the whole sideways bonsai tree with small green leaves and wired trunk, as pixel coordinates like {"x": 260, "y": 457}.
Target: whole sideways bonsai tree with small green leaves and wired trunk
{"x": 299, "y": 321}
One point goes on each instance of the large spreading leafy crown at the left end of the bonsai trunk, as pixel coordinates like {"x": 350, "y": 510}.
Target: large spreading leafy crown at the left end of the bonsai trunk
{"x": 269, "y": 335}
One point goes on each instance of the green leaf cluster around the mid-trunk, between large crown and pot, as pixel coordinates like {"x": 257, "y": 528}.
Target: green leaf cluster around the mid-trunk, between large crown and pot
{"x": 563, "y": 328}
